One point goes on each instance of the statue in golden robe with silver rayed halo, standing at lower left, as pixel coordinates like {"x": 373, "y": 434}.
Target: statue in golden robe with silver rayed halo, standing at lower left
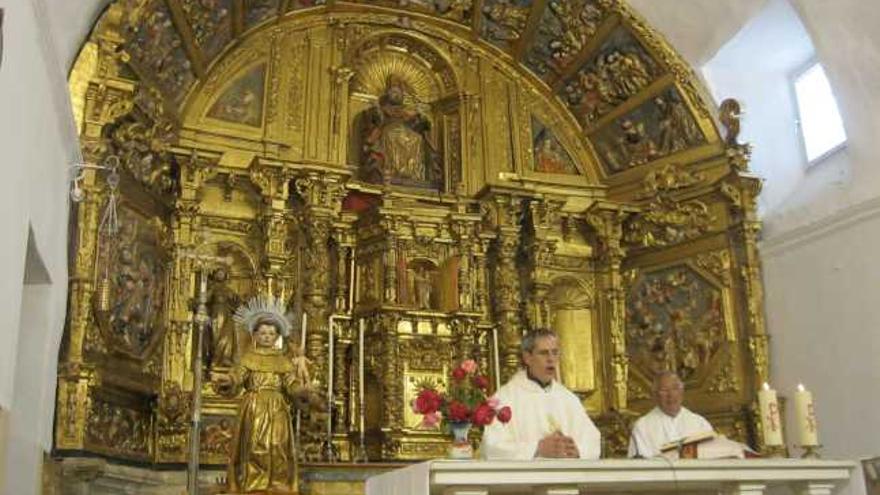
{"x": 263, "y": 451}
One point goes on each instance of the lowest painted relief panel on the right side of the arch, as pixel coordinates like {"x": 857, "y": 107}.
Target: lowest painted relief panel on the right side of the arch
{"x": 658, "y": 128}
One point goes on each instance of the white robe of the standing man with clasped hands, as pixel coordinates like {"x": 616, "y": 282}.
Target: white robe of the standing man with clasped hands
{"x": 538, "y": 412}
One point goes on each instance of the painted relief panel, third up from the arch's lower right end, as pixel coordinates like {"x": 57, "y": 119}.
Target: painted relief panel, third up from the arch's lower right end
{"x": 565, "y": 28}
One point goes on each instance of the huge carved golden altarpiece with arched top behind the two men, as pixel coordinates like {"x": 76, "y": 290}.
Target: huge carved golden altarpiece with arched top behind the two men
{"x": 449, "y": 173}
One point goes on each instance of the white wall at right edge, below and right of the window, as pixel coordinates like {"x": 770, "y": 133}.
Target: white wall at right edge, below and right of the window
{"x": 822, "y": 274}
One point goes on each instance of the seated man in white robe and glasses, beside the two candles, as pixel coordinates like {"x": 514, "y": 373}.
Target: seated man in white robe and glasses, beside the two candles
{"x": 668, "y": 422}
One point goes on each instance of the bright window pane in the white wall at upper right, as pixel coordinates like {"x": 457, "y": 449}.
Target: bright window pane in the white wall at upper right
{"x": 821, "y": 125}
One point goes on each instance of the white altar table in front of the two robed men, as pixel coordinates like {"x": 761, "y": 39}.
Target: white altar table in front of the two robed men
{"x": 573, "y": 477}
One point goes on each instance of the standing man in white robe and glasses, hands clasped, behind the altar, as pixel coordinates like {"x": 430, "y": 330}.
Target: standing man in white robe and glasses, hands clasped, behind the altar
{"x": 548, "y": 420}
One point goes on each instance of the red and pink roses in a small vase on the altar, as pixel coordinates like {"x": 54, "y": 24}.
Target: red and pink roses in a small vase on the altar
{"x": 463, "y": 405}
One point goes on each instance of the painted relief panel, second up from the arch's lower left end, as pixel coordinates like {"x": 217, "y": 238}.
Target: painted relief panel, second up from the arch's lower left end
{"x": 210, "y": 22}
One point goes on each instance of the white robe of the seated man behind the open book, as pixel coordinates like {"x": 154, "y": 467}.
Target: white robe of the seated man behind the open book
{"x": 656, "y": 428}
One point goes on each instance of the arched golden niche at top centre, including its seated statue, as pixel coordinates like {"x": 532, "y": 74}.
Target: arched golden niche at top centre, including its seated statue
{"x": 405, "y": 107}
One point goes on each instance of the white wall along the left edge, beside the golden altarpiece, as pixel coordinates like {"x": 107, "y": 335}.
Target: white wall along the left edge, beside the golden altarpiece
{"x": 38, "y": 144}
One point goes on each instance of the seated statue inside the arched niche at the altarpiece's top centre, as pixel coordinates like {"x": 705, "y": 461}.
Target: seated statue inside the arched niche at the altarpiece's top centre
{"x": 396, "y": 143}
